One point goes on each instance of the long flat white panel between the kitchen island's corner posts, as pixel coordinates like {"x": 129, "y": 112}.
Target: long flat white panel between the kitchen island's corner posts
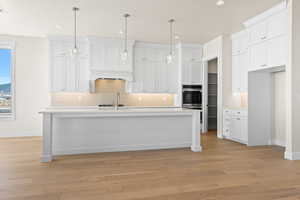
{"x": 82, "y": 134}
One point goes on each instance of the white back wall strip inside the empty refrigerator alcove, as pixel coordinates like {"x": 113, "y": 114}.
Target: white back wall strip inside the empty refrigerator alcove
{"x": 279, "y": 109}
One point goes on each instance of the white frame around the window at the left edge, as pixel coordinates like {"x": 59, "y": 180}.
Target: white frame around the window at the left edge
{"x": 10, "y": 44}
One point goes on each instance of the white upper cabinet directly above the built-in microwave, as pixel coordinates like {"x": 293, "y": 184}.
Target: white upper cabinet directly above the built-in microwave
{"x": 191, "y": 64}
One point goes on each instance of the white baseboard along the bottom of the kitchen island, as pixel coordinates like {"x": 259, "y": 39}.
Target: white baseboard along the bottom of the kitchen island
{"x": 119, "y": 148}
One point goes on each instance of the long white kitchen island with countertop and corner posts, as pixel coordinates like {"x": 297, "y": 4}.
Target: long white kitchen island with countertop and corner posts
{"x": 91, "y": 130}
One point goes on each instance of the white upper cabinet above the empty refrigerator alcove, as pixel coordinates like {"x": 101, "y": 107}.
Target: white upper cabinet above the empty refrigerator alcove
{"x": 268, "y": 38}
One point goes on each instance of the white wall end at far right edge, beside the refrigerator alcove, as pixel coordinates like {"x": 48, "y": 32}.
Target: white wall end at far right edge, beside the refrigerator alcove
{"x": 293, "y": 83}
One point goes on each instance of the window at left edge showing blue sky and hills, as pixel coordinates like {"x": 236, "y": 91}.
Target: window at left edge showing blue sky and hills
{"x": 6, "y": 81}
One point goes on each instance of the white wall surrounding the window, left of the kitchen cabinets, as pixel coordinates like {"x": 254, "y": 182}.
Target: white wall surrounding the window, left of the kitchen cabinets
{"x": 31, "y": 75}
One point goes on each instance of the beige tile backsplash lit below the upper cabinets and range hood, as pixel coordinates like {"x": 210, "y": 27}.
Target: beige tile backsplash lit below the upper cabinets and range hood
{"x": 105, "y": 94}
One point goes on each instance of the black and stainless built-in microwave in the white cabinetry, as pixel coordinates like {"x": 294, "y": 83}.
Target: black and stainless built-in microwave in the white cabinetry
{"x": 192, "y": 96}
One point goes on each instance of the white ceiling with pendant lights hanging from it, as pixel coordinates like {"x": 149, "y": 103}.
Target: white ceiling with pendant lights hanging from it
{"x": 196, "y": 20}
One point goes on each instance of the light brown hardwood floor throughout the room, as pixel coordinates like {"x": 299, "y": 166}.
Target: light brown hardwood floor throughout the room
{"x": 224, "y": 170}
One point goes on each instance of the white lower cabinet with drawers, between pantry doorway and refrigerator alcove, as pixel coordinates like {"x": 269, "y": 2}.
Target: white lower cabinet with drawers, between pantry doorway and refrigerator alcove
{"x": 235, "y": 125}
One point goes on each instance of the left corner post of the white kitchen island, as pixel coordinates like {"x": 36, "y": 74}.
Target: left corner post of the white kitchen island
{"x": 47, "y": 137}
